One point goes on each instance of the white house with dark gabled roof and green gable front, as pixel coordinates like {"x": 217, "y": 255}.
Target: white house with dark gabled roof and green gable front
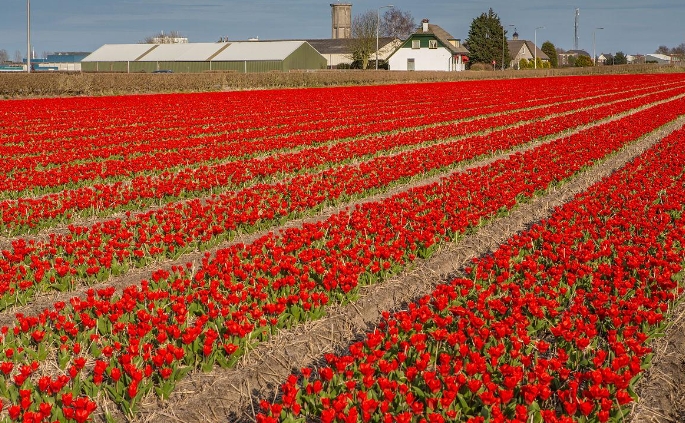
{"x": 431, "y": 48}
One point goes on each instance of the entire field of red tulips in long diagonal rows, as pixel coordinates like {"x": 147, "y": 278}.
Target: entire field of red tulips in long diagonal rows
{"x": 152, "y": 240}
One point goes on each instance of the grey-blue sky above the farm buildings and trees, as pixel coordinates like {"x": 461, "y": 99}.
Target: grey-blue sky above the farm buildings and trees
{"x": 631, "y": 26}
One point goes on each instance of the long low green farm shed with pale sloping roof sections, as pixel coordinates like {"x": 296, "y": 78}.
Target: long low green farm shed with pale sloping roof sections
{"x": 243, "y": 56}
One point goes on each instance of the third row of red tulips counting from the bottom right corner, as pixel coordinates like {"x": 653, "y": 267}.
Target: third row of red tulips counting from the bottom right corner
{"x": 112, "y": 247}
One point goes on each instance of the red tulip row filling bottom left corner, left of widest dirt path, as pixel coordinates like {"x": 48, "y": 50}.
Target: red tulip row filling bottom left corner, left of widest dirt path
{"x": 124, "y": 346}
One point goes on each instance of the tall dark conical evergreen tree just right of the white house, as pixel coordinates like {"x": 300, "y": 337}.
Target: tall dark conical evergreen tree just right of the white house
{"x": 487, "y": 40}
